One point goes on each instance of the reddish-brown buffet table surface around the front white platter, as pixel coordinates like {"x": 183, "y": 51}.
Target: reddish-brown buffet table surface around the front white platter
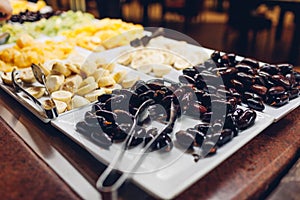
{"x": 39, "y": 161}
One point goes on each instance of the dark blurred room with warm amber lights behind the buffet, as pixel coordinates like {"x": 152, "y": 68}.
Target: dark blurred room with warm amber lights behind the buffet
{"x": 265, "y": 30}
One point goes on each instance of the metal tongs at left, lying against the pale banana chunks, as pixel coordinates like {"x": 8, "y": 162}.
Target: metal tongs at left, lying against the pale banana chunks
{"x": 49, "y": 109}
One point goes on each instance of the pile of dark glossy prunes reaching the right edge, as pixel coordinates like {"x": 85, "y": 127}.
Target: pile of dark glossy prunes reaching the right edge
{"x": 271, "y": 84}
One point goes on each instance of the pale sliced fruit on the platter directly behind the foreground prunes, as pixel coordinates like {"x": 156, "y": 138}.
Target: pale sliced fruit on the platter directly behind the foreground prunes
{"x": 161, "y": 55}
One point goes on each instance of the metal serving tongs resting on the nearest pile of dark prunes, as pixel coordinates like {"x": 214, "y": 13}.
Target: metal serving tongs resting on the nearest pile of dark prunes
{"x": 110, "y": 171}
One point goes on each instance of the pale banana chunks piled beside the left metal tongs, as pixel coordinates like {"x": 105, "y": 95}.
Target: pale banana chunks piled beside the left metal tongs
{"x": 72, "y": 85}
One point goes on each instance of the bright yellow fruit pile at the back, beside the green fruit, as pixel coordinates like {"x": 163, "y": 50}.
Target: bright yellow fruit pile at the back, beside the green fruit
{"x": 104, "y": 34}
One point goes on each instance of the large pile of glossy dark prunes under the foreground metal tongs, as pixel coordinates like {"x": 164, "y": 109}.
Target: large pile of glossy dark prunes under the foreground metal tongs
{"x": 133, "y": 111}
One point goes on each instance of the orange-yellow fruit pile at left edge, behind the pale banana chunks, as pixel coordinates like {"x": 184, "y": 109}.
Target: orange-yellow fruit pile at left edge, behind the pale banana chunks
{"x": 28, "y": 51}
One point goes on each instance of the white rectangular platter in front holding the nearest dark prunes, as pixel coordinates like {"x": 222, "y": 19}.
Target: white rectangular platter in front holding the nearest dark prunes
{"x": 163, "y": 175}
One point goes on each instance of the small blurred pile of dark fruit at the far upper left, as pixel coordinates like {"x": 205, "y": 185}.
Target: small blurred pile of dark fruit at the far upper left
{"x": 31, "y": 16}
